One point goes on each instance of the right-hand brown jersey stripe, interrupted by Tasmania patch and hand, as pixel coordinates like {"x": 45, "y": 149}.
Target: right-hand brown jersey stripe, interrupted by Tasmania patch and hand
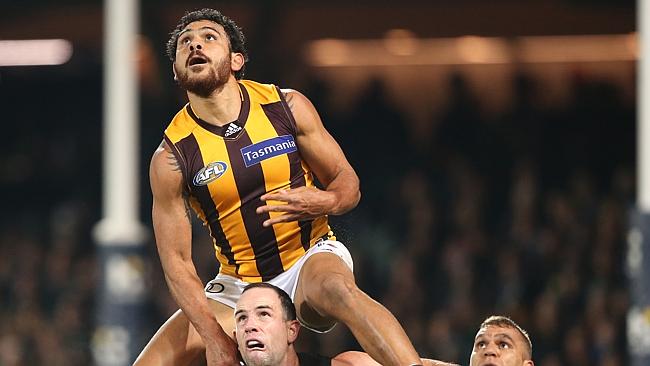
{"x": 277, "y": 114}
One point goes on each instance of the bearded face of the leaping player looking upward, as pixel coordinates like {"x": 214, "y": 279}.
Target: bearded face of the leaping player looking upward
{"x": 203, "y": 58}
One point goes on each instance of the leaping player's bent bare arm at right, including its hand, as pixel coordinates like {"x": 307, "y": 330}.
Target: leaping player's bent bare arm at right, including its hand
{"x": 324, "y": 155}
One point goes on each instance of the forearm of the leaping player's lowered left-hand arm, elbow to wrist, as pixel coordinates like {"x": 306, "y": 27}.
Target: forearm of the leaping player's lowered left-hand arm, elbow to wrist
{"x": 186, "y": 288}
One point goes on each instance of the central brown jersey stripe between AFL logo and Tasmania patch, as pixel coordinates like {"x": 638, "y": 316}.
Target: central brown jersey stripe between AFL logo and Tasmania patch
{"x": 250, "y": 185}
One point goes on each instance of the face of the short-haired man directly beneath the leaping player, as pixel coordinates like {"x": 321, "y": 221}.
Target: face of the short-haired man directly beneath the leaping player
{"x": 263, "y": 336}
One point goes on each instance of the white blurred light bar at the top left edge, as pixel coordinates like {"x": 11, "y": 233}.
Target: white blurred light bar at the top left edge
{"x": 35, "y": 52}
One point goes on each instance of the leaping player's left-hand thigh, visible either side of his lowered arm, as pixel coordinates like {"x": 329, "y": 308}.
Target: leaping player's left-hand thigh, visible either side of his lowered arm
{"x": 178, "y": 343}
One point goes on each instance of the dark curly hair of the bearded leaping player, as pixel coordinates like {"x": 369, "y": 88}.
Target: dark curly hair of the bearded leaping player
{"x": 235, "y": 34}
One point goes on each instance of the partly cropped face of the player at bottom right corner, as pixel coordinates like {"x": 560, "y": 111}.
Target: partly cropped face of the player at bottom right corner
{"x": 499, "y": 346}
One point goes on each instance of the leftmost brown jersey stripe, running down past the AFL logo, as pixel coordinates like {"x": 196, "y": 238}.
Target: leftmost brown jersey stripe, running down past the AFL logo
{"x": 190, "y": 147}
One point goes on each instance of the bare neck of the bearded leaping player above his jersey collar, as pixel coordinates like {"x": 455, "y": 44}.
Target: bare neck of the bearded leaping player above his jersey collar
{"x": 221, "y": 107}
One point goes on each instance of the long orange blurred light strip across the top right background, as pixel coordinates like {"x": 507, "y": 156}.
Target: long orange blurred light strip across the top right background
{"x": 401, "y": 47}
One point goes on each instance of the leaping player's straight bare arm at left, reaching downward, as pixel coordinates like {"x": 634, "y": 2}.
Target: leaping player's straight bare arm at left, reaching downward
{"x": 172, "y": 228}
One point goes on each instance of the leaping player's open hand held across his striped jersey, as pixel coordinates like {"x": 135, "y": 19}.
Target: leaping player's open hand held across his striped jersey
{"x": 301, "y": 203}
